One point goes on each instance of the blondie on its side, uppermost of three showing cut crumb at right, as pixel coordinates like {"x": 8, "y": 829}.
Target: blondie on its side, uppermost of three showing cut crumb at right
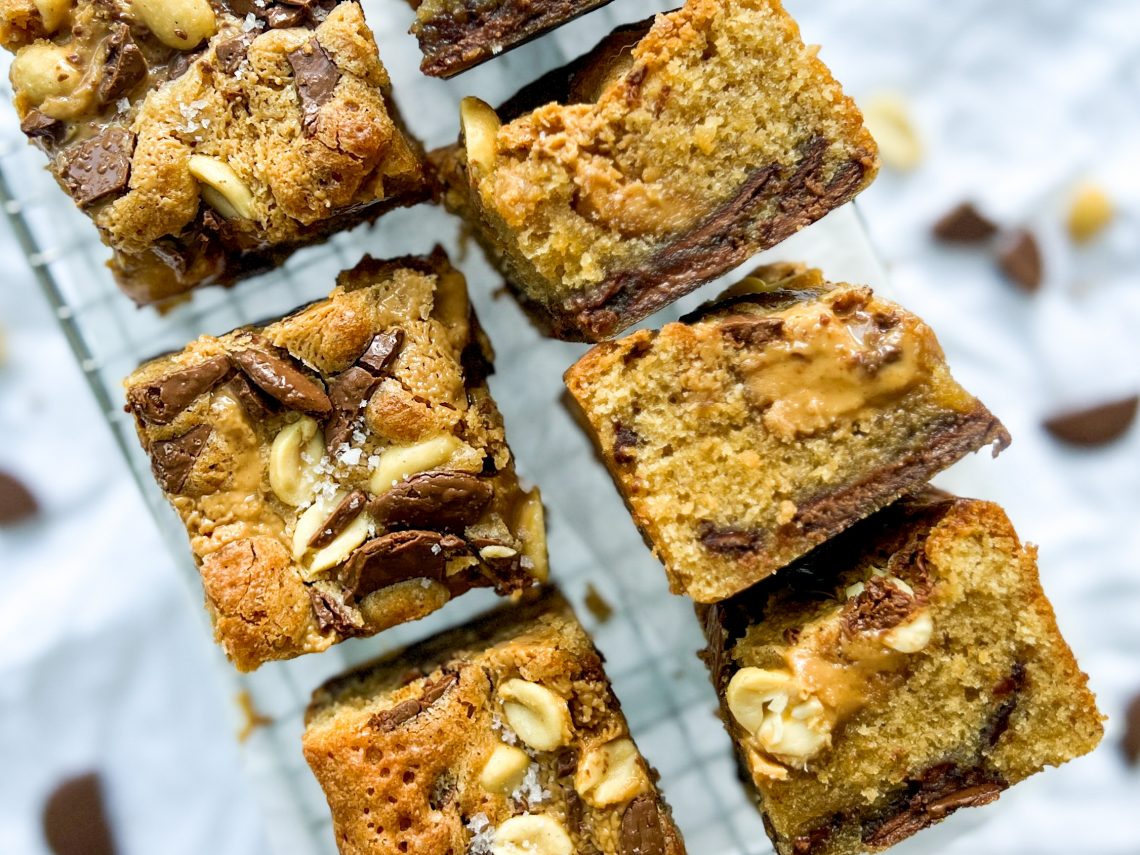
{"x": 673, "y": 153}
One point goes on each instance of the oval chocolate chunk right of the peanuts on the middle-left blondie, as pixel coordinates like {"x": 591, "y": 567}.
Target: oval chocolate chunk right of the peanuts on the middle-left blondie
{"x": 445, "y": 500}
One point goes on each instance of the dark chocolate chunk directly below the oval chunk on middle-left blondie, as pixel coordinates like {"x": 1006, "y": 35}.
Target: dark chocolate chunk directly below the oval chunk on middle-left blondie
{"x": 398, "y": 557}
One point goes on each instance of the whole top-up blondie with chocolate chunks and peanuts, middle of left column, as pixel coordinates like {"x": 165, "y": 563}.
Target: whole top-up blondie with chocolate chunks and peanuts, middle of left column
{"x": 343, "y": 470}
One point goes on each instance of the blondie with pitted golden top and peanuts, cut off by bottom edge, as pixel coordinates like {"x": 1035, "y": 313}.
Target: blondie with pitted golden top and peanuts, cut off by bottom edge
{"x": 500, "y": 738}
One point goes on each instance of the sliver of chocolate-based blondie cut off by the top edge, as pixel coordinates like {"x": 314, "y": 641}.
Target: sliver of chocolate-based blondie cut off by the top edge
{"x": 459, "y": 35}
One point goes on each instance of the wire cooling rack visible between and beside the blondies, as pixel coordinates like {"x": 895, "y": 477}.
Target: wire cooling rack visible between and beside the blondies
{"x": 652, "y": 640}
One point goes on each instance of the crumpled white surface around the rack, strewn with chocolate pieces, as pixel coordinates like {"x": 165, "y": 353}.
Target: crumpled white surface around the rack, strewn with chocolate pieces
{"x": 104, "y": 662}
